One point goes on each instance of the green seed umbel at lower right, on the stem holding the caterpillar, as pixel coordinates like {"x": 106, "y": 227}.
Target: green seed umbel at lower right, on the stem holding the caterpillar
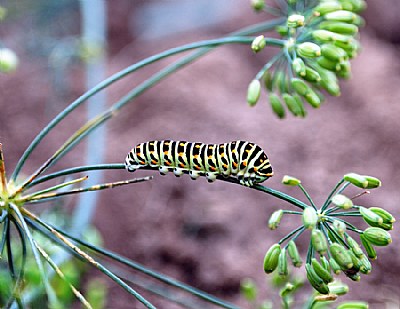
{"x": 333, "y": 248}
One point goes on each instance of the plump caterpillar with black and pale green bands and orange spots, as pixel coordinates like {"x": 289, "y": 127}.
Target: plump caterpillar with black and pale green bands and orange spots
{"x": 244, "y": 160}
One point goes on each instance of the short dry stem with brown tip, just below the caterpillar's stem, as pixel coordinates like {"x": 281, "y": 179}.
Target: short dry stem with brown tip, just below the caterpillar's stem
{"x": 80, "y": 190}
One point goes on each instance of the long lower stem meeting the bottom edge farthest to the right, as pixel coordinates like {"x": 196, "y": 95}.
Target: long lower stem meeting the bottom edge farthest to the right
{"x": 139, "y": 267}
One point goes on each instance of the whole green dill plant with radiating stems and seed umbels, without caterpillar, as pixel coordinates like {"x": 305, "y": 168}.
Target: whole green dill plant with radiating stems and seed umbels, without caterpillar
{"x": 317, "y": 41}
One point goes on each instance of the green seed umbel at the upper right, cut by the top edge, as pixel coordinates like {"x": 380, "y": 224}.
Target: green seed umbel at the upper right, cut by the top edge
{"x": 319, "y": 38}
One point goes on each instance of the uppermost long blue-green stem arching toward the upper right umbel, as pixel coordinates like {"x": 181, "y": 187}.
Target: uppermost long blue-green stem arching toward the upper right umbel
{"x": 206, "y": 45}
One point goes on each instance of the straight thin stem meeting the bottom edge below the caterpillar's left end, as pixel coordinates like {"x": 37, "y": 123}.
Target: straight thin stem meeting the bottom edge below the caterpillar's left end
{"x": 90, "y": 260}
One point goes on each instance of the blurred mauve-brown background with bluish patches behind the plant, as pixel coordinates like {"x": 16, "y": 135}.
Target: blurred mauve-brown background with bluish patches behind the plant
{"x": 208, "y": 235}
